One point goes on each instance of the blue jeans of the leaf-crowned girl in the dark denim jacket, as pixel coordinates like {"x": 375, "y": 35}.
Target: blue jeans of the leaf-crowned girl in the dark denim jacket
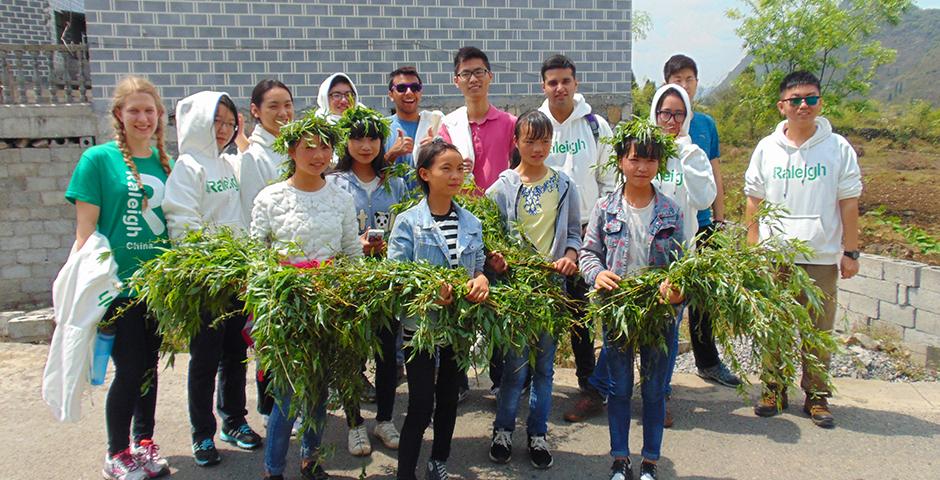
{"x": 654, "y": 364}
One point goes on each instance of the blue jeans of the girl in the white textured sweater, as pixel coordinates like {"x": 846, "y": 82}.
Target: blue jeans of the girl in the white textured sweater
{"x": 278, "y": 434}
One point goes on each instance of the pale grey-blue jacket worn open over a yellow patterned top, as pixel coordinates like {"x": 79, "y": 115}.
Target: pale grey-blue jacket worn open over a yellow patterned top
{"x": 505, "y": 192}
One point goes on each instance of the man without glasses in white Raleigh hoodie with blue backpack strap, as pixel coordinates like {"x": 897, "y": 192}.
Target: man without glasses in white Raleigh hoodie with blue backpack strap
{"x": 578, "y": 152}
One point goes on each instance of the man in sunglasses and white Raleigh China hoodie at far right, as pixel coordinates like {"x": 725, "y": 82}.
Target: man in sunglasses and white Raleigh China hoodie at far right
{"x": 813, "y": 173}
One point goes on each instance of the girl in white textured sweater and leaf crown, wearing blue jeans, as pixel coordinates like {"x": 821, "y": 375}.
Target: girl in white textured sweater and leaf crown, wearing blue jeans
{"x": 319, "y": 218}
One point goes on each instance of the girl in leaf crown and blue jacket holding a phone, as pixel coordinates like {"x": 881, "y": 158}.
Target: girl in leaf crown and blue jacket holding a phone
{"x": 362, "y": 172}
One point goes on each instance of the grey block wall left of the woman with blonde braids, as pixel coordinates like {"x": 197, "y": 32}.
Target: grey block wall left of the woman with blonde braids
{"x": 37, "y": 225}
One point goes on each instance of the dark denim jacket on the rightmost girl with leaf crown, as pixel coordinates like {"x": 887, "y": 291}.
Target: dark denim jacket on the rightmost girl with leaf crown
{"x": 606, "y": 242}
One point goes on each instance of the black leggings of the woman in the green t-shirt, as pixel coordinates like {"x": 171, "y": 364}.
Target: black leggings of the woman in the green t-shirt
{"x": 135, "y": 354}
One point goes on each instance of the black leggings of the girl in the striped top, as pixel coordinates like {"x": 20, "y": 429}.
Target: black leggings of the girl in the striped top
{"x": 423, "y": 392}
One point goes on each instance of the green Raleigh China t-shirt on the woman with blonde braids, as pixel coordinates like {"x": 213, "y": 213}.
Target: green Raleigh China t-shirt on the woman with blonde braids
{"x": 102, "y": 178}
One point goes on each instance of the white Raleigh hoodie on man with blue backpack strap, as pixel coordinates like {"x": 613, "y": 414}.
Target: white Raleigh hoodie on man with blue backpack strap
{"x": 579, "y": 156}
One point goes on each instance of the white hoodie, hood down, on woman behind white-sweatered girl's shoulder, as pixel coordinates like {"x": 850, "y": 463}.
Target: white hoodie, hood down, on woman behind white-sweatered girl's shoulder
{"x": 260, "y": 166}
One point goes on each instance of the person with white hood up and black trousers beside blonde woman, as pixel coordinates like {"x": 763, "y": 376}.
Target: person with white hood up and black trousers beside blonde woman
{"x": 203, "y": 192}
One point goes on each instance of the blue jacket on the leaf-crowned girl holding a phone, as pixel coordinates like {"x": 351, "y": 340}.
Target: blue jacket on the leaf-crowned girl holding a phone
{"x": 372, "y": 210}
